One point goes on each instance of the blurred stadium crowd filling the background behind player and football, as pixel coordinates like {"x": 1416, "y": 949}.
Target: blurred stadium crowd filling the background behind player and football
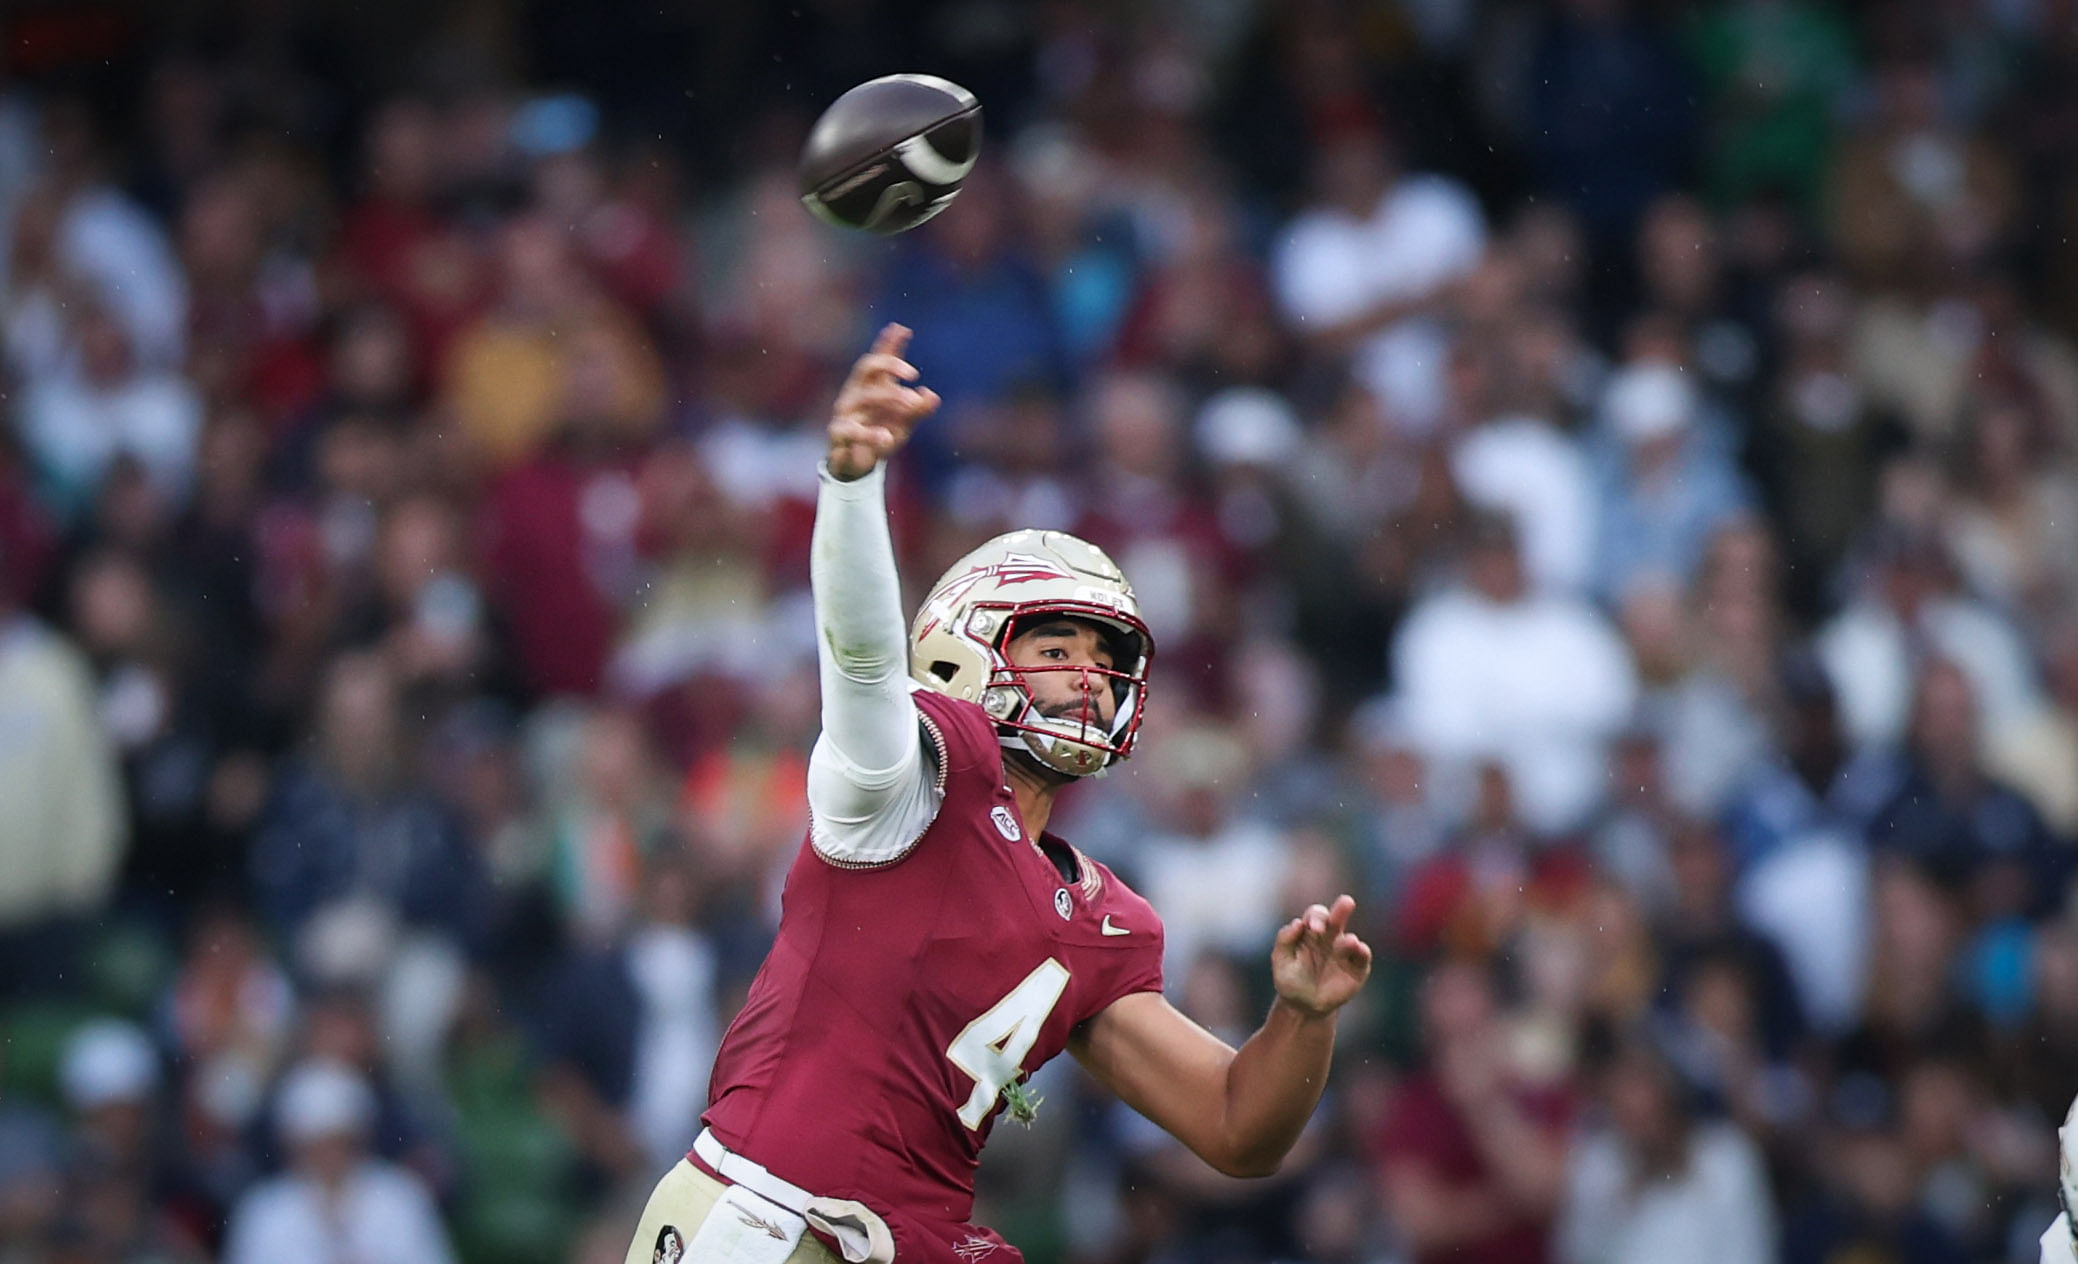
{"x": 1601, "y": 477}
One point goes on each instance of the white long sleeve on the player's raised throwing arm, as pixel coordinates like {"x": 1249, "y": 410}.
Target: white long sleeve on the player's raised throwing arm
{"x": 872, "y": 781}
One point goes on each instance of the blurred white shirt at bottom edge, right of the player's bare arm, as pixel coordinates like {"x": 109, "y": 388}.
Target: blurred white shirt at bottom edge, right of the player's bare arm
{"x": 1713, "y": 1213}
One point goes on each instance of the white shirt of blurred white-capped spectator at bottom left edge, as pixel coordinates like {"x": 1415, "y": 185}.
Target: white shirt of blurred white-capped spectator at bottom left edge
{"x": 381, "y": 1215}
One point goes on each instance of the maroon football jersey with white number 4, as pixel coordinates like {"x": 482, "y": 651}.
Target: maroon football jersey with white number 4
{"x": 897, "y": 1003}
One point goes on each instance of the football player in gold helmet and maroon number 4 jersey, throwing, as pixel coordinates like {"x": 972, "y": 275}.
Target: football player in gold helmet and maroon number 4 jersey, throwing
{"x": 936, "y": 943}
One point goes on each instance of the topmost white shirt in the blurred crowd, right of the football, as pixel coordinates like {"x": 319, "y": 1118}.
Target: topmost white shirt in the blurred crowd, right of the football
{"x": 1331, "y": 267}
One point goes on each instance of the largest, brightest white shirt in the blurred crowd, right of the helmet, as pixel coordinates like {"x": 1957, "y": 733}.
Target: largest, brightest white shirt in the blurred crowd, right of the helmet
{"x": 1537, "y": 685}
